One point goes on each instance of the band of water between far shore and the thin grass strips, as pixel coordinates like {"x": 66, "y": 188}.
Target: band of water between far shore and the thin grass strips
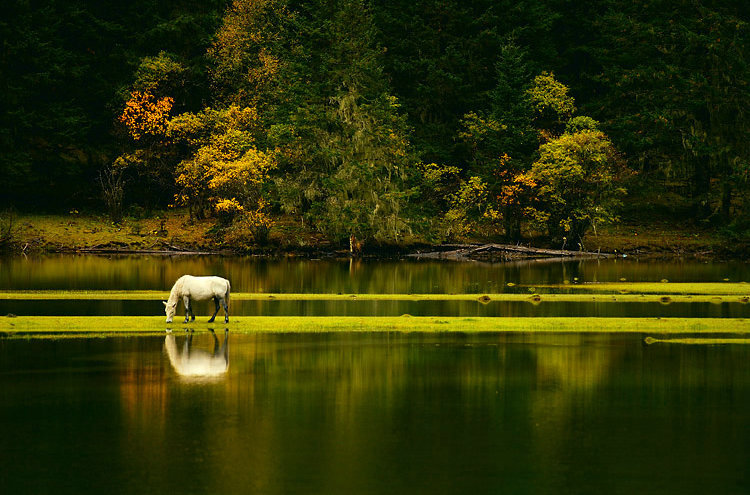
{"x": 298, "y": 275}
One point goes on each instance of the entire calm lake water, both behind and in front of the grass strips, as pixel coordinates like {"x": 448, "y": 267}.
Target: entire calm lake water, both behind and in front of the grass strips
{"x": 377, "y": 413}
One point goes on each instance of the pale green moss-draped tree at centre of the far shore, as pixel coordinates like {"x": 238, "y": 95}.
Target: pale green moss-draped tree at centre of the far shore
{"x": 365, "y": 192}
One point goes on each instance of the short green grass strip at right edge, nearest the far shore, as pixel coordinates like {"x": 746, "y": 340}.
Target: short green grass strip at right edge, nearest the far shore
{"x": 704, "y": 288}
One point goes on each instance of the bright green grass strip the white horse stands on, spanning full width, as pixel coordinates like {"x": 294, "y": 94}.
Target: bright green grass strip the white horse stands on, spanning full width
{"x": 300, "y": 324}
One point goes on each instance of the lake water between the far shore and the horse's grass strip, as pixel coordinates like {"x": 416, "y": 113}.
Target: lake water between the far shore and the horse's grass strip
{"x": 249, "y": 274}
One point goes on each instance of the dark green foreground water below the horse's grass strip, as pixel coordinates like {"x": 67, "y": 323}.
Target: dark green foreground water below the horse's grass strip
{"x": 373, "y": 413}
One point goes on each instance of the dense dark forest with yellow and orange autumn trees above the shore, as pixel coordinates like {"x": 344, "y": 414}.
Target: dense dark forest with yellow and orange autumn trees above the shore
{"x": 380, "y": 119}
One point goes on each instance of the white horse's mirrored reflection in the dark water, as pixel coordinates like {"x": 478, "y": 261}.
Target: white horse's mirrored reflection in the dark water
{"x": 198, "y": 363}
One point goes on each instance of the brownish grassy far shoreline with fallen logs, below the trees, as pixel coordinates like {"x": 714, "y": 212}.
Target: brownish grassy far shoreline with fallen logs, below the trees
{"x": 172, "y": 234}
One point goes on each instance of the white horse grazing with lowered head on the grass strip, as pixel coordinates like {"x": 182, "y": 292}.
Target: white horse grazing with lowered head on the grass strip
{"x": 190, "y": 288}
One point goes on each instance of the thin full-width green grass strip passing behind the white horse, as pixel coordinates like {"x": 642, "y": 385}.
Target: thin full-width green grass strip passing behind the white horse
{"x": 664, "y": 298}
